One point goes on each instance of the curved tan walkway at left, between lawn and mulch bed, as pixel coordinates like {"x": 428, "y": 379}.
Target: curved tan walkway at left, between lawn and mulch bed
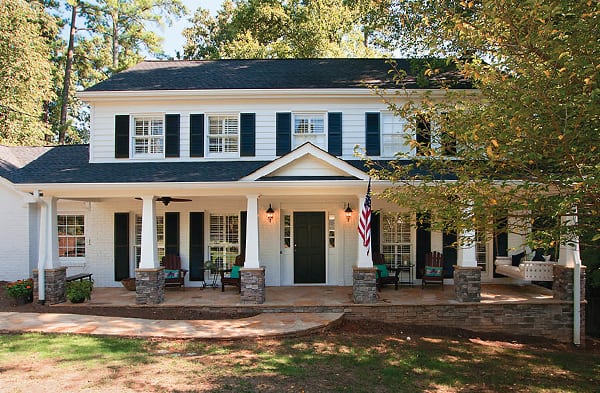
{"x": 262, "y": 325}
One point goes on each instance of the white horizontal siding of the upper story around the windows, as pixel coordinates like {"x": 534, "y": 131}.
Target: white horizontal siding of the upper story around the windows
{"x": 353, "y": 117}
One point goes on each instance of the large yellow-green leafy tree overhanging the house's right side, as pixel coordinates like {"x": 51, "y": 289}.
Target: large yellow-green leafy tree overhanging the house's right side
{"x": 527, "y": 141}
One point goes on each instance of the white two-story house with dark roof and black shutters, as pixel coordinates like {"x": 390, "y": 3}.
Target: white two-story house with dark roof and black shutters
{"x": 211, "y": 159}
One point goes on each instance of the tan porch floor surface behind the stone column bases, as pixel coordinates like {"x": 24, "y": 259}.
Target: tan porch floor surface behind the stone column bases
{"x": 321, "y": 296}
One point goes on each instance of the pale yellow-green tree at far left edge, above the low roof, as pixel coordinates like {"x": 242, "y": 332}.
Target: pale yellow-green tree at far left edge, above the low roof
{"x": 26, "y": 33}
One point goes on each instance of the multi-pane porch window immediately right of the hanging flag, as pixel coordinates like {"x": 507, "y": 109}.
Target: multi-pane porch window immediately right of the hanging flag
{"x": 396, "y": 241}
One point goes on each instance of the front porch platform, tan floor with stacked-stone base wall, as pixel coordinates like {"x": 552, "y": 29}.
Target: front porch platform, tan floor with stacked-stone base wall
{"x": 520, "y": 310}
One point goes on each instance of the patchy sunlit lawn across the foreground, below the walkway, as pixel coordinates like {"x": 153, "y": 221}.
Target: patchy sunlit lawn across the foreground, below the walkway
{"x": 334, "y": 362}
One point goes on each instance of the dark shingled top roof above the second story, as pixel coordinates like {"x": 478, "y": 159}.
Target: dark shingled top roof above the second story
{"x": 263, "y": 74}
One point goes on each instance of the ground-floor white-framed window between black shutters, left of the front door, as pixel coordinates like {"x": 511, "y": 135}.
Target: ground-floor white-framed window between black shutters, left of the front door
{"x": 224, "y": 244}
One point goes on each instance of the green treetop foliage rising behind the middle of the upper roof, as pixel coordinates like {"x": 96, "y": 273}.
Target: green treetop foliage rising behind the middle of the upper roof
{"x": 295, "y": 29}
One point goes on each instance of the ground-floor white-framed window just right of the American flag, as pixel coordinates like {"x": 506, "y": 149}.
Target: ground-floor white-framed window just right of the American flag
{"x": 401, "y": 246}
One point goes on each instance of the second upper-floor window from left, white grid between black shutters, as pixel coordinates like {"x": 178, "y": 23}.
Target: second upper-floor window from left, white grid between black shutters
{"x": 223, "y": 134}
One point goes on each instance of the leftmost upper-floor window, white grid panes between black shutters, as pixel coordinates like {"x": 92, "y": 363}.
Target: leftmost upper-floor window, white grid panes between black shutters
{"x": 148, "y": 136}
